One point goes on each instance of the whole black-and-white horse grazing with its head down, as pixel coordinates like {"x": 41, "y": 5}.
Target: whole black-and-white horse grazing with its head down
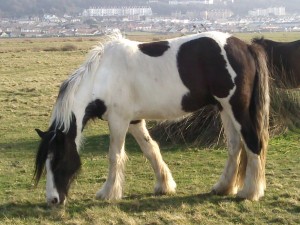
{"x": 126, "y": 82}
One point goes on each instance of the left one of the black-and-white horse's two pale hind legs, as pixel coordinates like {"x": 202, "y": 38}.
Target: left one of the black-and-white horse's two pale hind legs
{"x": 227, "y": 183}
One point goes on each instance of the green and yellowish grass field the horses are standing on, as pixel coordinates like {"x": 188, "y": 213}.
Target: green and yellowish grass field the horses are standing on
{"x": 31, "y": 71}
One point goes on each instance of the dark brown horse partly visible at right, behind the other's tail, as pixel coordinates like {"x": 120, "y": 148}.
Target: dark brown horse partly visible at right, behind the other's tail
{"x": 284, "y": 61}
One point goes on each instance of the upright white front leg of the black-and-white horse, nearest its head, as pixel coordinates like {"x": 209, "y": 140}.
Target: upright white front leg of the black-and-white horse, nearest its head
{"x": 113, "y": 187}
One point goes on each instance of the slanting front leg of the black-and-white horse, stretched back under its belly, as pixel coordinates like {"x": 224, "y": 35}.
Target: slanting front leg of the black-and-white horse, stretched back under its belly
{"x": 165, "y": 183}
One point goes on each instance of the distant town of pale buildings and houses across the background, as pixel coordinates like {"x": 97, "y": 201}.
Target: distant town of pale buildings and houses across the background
{"x": 95, "y": 21}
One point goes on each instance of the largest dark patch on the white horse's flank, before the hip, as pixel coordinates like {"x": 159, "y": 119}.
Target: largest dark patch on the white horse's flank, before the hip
{"x": 203, "y": 71}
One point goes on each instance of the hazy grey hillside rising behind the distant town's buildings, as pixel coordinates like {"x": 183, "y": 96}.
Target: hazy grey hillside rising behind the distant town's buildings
{"x": 21, "y": 8}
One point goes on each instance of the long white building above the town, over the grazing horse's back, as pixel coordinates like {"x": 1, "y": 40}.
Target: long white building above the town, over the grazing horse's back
{"x": 118, "y": 11}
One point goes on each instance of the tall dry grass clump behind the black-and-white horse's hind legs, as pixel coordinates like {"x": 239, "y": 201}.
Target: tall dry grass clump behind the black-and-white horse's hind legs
{"x": 204, "y": 126}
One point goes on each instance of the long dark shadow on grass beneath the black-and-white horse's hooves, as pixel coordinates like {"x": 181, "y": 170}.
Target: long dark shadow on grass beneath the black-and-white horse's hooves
{"x": 130, "y": 204}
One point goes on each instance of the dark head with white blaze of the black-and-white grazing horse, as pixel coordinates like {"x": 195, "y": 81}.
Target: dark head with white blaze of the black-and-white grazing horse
{"x": 58, "y": 153}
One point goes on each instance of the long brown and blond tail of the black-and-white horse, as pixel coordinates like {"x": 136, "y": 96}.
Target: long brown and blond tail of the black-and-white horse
{"x": 259, "y": 111}
